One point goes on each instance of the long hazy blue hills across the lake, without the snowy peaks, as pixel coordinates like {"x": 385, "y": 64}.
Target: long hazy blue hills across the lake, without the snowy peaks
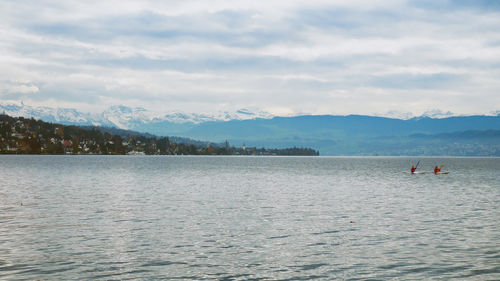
{"x": 361, "y": 135}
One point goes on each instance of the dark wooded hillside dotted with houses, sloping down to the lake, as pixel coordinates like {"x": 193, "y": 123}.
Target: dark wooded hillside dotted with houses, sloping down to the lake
{"x": 20, "y": 135}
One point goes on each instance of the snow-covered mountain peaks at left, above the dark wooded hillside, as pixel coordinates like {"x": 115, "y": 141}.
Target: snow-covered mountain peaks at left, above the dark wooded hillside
{"x": 123, "y": 117}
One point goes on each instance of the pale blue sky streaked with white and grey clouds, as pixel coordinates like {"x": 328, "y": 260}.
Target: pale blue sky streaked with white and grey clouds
{"x": 286, "y": 57}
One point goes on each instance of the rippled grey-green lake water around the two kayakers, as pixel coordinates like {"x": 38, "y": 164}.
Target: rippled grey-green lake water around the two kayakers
{"x": 248, "y": 218}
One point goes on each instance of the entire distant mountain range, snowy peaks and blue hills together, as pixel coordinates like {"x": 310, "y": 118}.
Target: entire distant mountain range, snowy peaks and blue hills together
{"x": 330, "y": 134}
